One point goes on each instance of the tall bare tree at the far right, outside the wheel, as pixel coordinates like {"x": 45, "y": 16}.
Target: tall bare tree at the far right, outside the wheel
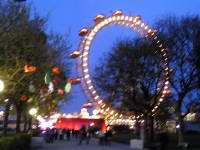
{"x": 181, "y": 34}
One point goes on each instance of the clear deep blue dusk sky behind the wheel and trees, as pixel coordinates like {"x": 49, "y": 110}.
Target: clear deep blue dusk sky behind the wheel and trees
{"x": 69, "y": 16}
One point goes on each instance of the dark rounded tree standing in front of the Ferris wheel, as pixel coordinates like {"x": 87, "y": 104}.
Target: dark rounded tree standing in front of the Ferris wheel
{"x": 131, "y": 77}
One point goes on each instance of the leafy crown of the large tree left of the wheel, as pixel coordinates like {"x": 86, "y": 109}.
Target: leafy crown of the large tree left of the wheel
{"x": 24, "y": 41}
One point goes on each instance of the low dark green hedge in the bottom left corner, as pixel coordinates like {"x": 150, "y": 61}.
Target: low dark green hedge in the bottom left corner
{"x": 15, "y": 142}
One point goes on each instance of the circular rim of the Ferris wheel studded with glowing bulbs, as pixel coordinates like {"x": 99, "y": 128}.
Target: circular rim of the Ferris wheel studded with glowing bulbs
{"x": 133, "y": 22}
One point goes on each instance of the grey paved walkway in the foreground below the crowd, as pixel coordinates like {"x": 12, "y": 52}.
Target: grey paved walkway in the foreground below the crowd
{"x": 73, "y": 145}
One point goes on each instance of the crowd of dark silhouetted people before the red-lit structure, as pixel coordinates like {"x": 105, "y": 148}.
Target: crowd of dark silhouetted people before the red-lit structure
{"x": 83, "y": 135}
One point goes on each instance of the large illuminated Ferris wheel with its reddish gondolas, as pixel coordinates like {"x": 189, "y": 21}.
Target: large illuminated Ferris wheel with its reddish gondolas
{"x": 135, "y": 23}
